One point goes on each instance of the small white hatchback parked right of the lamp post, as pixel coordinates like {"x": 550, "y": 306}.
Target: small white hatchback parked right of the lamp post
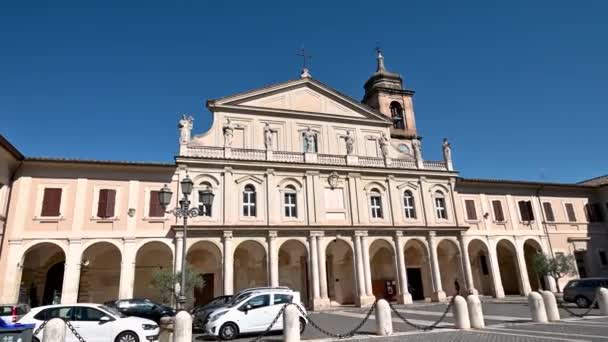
{"x": 252, "y": 313}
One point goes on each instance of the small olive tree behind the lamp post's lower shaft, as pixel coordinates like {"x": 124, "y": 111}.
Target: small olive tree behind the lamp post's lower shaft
{"x": 165, "y": 281}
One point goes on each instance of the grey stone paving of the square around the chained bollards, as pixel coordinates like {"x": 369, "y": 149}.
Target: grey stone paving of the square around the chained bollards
{"x": 505, "y": 321}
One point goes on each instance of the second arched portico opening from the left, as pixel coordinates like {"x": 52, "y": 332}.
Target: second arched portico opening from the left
{"x": 100, "y": 272}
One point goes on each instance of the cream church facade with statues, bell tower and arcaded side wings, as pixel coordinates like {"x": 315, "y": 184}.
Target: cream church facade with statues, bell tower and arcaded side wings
{"x": 297, "y": 185}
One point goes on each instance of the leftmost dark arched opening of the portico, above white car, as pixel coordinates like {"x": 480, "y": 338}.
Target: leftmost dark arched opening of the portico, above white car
{"x": 42, "y": 274}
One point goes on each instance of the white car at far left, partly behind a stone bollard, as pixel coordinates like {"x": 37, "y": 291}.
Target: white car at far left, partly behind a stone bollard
{"x": 95, "y": 323}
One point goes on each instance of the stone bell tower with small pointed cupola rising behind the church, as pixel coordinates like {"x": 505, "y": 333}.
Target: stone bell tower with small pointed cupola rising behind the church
{"x": 384, "y": 92}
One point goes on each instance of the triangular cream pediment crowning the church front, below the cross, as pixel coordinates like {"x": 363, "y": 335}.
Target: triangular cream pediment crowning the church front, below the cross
{"x": 306, "y": 96}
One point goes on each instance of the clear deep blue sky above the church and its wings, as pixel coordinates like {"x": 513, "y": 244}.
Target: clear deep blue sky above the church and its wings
{"x": 519, "y": 87}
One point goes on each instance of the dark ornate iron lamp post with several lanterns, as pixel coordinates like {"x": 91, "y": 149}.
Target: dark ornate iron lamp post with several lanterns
{"x": 184, "y": 211}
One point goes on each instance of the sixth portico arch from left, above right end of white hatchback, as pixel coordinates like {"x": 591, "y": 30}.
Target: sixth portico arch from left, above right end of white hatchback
{"x": 293, "y": 267}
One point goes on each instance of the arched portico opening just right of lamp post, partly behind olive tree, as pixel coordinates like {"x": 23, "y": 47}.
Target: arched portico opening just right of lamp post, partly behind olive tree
{"x": 205, "y": 257}
